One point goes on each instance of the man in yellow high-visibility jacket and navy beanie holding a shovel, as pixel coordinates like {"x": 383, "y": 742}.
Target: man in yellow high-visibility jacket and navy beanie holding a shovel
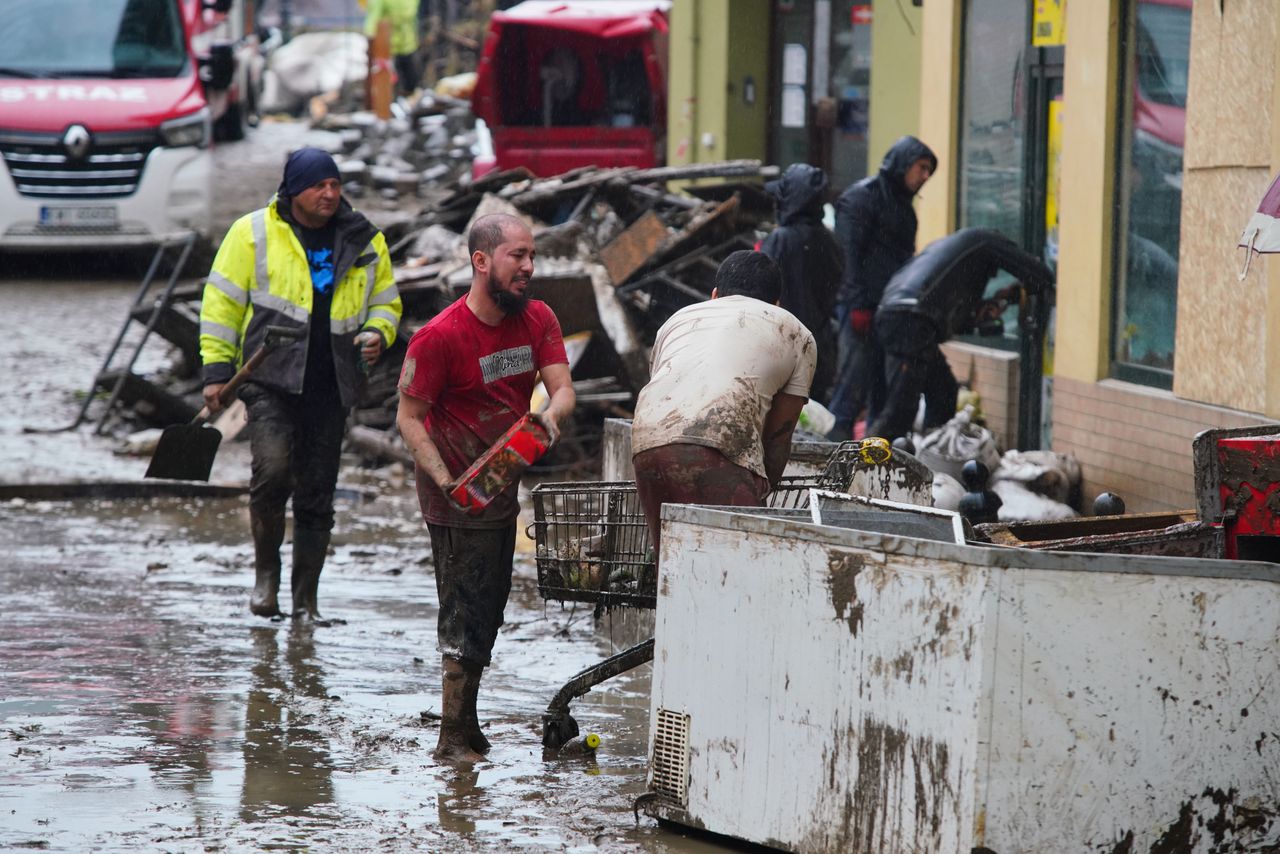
{"x": 310, "y": 263}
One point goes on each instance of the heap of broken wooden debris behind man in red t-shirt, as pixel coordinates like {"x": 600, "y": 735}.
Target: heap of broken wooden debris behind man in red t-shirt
{"x": 619, "y": 252}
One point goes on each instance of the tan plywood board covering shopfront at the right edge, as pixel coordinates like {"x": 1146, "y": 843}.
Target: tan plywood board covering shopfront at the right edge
{"x": 1223, "y": 325}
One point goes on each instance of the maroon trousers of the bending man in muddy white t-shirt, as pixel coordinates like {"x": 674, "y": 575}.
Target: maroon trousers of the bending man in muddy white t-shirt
{"x": 692, "y": 474}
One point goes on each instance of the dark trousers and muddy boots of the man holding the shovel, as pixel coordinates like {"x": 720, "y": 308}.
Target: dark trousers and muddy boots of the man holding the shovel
{"x": 296, "y": 445}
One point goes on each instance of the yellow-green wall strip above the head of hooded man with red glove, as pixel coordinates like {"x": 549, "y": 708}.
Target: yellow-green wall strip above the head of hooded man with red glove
{"x": 895, "y": 108}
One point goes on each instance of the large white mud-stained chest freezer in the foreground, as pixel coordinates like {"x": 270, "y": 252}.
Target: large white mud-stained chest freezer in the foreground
{"x": 868, "y": 682}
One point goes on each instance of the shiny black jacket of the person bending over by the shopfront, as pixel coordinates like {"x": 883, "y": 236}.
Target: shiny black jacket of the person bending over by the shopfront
{"x": 945, "y": 284}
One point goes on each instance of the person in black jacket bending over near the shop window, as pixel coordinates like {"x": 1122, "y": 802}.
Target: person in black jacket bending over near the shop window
{"x": 939, "y": 295}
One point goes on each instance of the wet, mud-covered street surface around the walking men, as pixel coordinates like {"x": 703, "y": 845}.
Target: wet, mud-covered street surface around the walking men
{"x": 144, "y": 709}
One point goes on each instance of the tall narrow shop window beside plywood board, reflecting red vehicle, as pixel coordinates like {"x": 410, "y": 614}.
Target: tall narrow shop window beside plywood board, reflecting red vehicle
{"x": 1150, "y": 190}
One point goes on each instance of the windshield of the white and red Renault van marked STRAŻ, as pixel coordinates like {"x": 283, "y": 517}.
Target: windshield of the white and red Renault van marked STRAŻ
{"x": 100, "y": 39}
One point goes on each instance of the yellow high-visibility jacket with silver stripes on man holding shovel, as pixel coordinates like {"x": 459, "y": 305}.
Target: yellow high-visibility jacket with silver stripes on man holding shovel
{"x": 262, "y": 278}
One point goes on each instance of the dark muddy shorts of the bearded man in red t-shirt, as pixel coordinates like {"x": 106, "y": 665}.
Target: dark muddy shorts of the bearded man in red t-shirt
{"x": 473, "y": 582}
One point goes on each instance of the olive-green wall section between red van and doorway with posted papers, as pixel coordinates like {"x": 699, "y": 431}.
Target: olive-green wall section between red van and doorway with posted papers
{"x": 715, "y": 47}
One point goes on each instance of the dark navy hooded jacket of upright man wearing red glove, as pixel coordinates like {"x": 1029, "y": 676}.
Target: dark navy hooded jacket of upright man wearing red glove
{"x": 876, "y": 226}
